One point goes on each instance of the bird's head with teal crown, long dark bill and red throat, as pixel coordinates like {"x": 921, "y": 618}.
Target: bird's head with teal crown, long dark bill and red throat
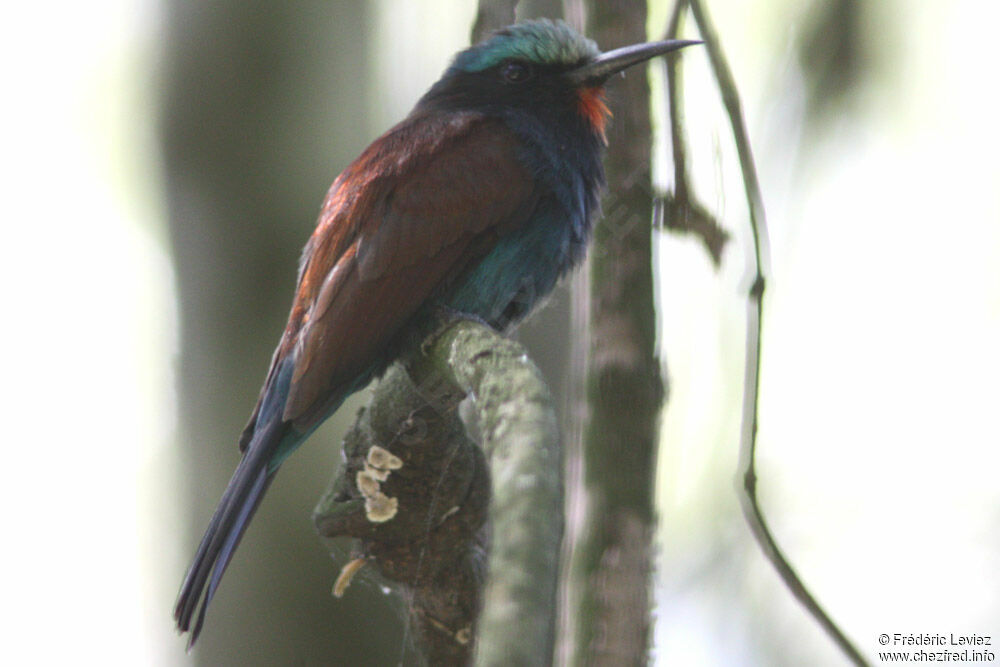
{"x": 542, "y": 66}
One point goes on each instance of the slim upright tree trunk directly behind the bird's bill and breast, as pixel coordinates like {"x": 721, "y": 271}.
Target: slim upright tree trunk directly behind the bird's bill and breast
{"x": 612, "y": 562}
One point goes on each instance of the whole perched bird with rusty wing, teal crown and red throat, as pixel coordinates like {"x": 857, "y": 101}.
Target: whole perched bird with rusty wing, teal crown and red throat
{"x": 474, "y": 205}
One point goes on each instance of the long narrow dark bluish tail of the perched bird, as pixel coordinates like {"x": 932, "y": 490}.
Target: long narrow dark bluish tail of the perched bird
{"x": 236, "y": 508}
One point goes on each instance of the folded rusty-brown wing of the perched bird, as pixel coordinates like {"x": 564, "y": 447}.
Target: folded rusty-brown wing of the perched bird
{"x": 419, "y": 208}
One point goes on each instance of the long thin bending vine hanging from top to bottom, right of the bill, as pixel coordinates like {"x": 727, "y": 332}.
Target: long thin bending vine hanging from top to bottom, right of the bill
{"x": 755, "y": 312}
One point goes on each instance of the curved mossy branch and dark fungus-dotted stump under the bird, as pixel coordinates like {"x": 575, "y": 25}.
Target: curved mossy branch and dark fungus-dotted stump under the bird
{"x": 419, "y": 516}
